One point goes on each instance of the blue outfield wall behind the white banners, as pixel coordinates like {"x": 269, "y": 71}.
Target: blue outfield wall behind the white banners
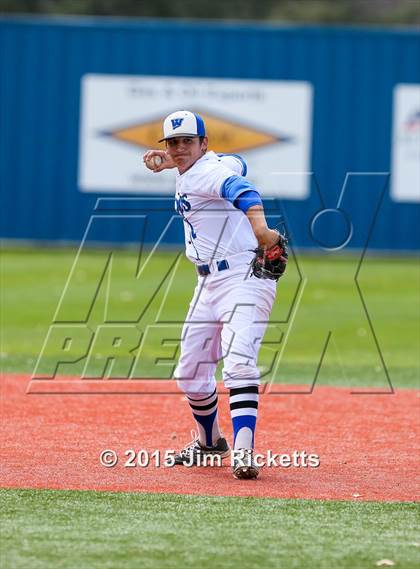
{"x": 353, "y": 72}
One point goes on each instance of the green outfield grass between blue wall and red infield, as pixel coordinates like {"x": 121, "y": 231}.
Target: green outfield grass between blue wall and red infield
{"x": 326, "y": 299}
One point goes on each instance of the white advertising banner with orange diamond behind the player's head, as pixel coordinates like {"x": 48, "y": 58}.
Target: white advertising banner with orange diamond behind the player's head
{"x": 268, "y": 123}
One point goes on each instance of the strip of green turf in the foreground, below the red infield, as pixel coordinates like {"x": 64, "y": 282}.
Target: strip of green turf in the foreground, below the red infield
{"x": 108, "y": 530}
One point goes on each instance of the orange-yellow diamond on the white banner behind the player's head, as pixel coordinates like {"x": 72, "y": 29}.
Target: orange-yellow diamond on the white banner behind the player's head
{"x": 225, "y": 136}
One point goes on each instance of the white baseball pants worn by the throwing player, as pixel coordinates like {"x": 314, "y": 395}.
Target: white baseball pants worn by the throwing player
{"x": 227, "y": 319}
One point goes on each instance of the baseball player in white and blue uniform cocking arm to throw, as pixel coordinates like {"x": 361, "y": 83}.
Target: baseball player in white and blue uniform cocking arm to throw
{"x": 224, "y": 227}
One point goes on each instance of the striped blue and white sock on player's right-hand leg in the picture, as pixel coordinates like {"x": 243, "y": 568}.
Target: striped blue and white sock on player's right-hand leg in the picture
{"x": 243, "y": 411}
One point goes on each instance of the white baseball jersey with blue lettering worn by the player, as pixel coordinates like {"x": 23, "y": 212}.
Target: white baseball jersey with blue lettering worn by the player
{"x": 214, "y": 228}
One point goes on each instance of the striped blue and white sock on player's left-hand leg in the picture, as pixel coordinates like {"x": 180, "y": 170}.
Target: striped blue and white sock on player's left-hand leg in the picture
{"x": 204, "y": 408}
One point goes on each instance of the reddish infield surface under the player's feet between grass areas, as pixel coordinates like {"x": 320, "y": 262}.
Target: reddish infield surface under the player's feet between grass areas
{"x": 367, "y": 444}
